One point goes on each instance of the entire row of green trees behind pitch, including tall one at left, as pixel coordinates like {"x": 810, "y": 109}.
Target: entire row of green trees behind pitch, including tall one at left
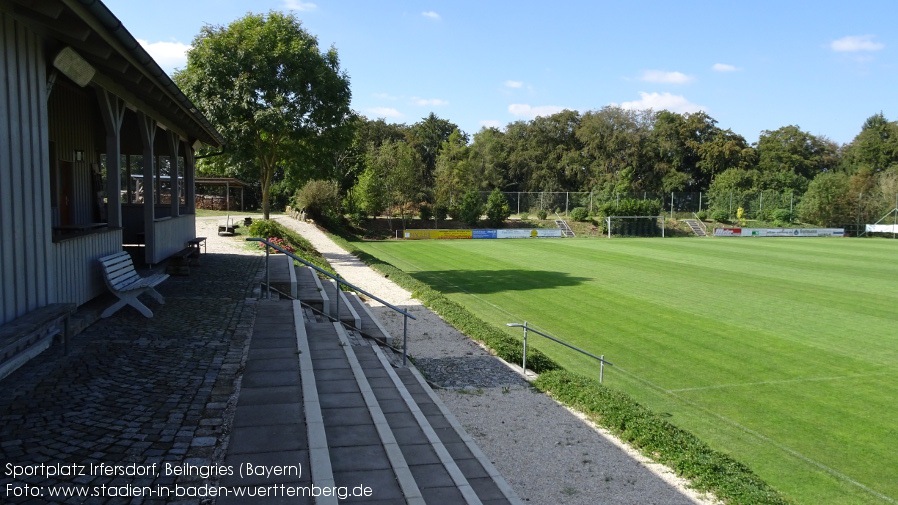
{"x": 283, "y": 106}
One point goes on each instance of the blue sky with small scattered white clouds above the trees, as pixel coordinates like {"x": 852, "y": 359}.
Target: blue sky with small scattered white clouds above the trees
{"x": 824, "y": 66}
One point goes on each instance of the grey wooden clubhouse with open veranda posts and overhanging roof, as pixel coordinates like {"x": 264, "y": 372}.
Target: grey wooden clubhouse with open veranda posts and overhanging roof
{"x": 84, "y": 113}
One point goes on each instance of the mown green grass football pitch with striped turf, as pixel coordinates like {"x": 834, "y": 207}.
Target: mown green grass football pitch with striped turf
{"x": 780, "y": 352}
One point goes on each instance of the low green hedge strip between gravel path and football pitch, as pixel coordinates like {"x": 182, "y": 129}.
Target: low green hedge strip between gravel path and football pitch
{"x": 708, "y": 470}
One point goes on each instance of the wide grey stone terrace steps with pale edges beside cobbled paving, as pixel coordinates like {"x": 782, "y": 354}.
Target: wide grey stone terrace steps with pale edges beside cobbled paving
{"x": 324, "y": 398}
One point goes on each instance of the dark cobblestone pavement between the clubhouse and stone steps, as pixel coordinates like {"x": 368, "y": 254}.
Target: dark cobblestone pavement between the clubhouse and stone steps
{"x": 132, "y": 391}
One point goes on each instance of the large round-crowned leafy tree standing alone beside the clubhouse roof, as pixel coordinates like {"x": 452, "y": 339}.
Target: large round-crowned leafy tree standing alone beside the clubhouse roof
{"x": 272, "y": 93}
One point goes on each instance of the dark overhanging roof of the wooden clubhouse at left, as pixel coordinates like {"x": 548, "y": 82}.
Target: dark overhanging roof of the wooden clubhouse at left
{"x": 123, "y": 66}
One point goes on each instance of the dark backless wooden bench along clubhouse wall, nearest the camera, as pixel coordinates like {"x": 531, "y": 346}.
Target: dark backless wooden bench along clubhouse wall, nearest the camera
{"x": 31, "y": 334}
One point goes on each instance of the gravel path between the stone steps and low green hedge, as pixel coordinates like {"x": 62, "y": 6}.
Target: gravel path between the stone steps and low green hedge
{"x": 547, "y": 453}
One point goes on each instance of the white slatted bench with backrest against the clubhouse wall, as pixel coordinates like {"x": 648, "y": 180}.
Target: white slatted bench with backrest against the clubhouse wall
{"x": 125, "y": 283}
